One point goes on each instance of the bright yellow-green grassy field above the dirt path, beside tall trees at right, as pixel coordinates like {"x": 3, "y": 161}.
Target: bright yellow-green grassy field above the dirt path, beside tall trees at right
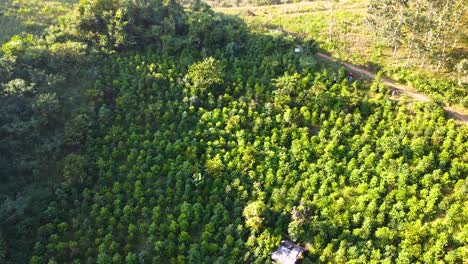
{"x": 354, "y": 42}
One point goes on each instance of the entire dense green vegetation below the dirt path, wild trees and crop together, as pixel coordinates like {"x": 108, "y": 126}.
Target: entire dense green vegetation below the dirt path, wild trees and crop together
{"x": 151, "y": 132}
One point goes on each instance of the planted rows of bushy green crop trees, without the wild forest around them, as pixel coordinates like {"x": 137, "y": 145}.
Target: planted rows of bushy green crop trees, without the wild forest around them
{"x": 217, "y": 160}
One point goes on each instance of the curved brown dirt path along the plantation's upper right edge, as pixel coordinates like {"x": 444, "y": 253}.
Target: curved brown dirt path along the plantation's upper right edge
{"x": 402, "y": 89}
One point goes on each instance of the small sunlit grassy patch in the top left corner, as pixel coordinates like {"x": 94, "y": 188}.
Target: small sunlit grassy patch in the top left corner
{"x": 29, "y": 16}
